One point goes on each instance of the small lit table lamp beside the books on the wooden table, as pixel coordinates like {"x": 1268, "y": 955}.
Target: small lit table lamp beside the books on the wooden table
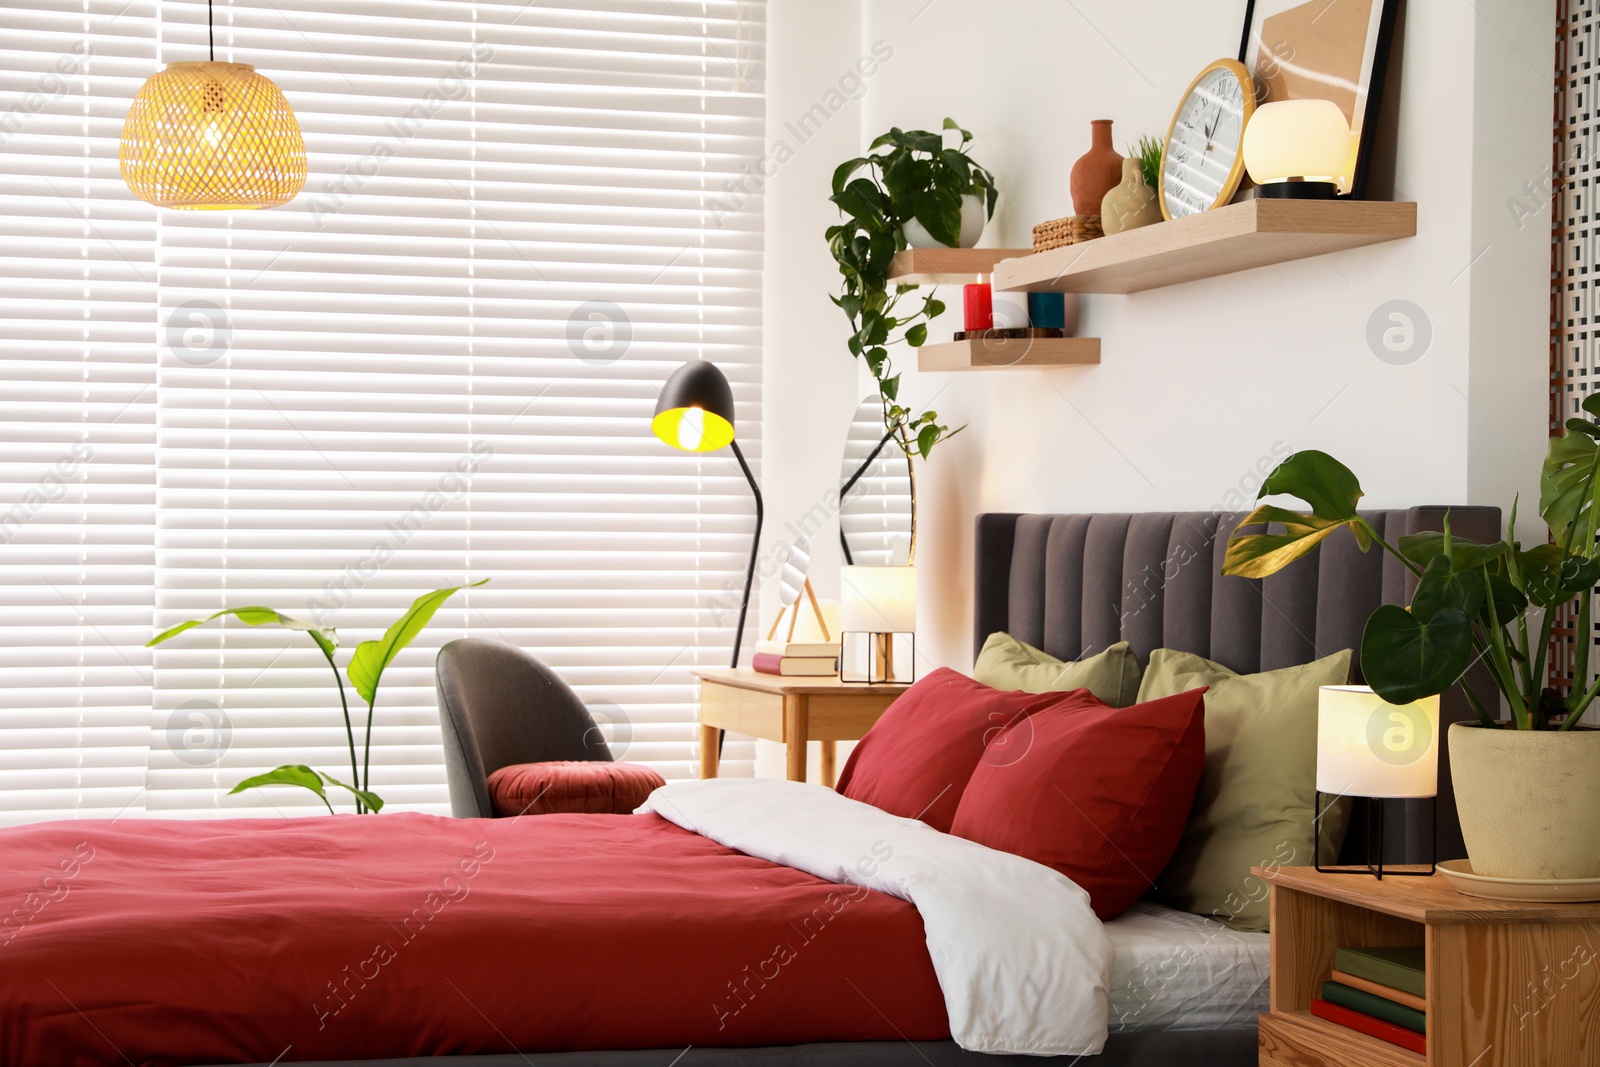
{"x": 878, "y": 615}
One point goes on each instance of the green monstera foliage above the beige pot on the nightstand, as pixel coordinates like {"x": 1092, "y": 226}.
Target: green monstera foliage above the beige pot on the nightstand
{"x": 1497, "y": 602}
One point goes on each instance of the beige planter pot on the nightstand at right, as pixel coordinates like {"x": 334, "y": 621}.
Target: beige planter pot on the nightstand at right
{"x": 1529, "y": 801}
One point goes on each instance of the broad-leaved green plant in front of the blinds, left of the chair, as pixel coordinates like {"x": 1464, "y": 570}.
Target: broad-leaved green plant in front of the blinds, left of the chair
{"x": 366, "y": 671}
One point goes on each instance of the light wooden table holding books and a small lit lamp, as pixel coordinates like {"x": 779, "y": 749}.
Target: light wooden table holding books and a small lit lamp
{"x": 791, "y": 711}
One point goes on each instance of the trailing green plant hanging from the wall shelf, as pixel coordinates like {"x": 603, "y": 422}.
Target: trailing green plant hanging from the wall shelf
{"x": 916, "y": 178}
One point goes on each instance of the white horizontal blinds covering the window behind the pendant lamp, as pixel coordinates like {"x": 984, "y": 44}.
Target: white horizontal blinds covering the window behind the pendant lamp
{"x": 436, "y": 366}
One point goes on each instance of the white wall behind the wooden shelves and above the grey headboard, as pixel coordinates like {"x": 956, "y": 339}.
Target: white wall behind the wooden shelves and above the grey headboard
{"x": 1198, "y": 383}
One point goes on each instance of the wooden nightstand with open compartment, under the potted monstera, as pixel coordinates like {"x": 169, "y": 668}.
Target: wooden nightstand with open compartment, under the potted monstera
{"x": 1508, "y": 985}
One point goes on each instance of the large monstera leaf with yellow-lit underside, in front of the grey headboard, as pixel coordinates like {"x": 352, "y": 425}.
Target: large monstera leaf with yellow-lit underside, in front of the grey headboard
{"x": 1332, "y": 494}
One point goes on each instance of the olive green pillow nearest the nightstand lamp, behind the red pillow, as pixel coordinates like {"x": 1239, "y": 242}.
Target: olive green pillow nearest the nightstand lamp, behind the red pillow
{"x": 1258, "y": 789}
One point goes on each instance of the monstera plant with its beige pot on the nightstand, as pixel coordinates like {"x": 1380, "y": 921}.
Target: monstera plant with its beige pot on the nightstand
{"x": 1527, "y": 788}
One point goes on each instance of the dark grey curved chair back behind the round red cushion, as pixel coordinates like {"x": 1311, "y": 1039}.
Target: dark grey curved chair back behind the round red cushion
{"x": 498, "y": 706}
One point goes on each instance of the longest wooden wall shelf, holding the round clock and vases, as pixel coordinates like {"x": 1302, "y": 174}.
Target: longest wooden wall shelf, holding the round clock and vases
{"x": 1238, "y": 238}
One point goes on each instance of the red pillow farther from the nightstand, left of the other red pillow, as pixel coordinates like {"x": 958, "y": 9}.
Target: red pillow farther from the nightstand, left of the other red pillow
{"x": 918, "y": 757}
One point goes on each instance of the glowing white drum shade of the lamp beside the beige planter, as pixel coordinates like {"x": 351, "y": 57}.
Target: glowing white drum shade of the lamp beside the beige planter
{"x": 1370, "y": 748}
